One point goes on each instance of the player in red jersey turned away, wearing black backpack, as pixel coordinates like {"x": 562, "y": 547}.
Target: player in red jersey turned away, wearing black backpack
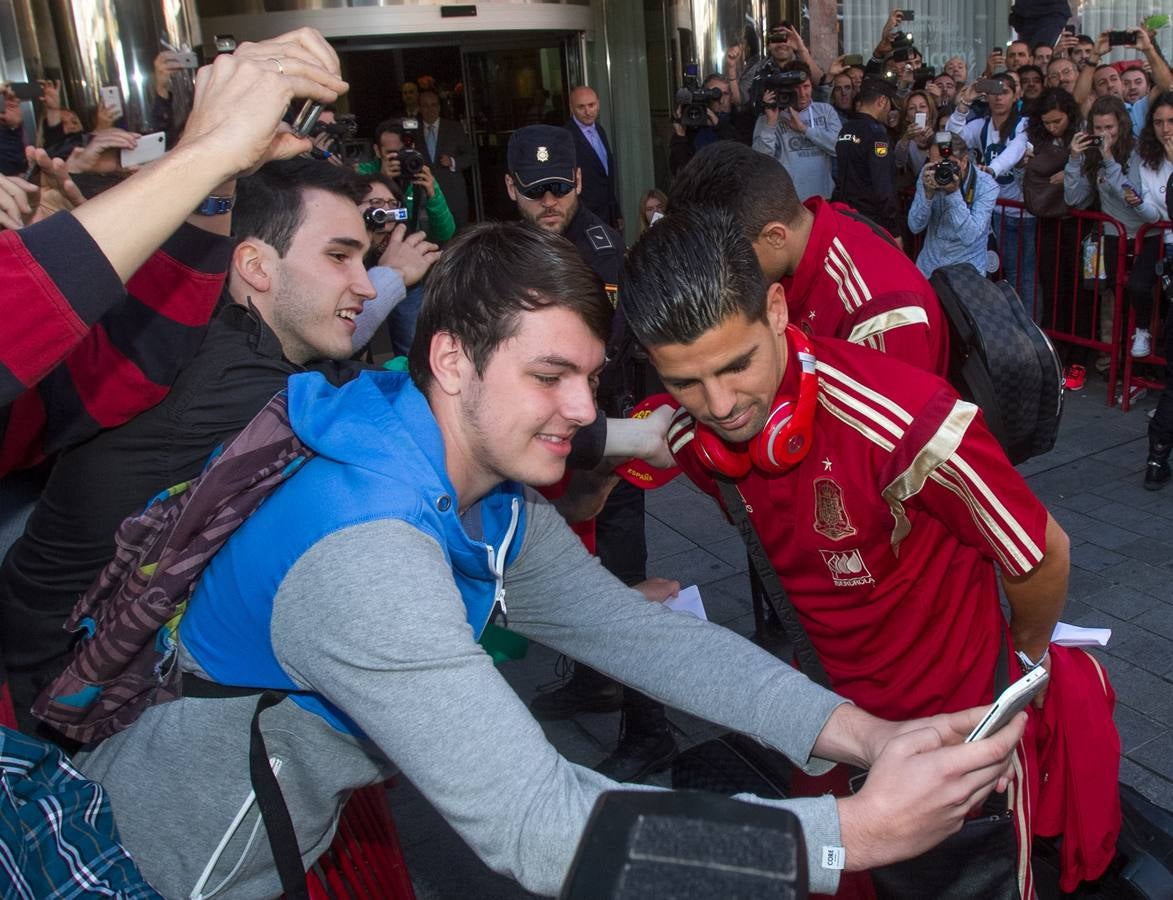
{"x": 844, "y": 278}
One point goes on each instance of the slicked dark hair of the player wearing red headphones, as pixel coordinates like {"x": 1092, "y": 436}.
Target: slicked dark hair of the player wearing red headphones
{"x": 687, "y": 276}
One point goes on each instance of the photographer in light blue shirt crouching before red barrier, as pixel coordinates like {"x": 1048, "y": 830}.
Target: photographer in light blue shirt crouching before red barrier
{"x": 953, "y": 207}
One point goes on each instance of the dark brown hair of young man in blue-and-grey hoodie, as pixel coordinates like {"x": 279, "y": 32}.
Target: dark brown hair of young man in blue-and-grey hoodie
{"x": 490, "y": 276}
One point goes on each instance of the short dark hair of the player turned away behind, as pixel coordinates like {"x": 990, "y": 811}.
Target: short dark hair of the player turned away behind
{"x": 756, "y": 188}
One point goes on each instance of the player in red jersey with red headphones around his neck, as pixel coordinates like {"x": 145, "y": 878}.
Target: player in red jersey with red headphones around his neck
{"x": 886, "y": 506}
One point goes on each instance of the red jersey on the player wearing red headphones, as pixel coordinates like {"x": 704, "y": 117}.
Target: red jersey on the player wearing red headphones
{"x": 886, "y": 534}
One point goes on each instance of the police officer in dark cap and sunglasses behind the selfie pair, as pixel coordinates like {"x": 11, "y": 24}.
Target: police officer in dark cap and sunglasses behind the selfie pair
{"x": 545, "y": 181}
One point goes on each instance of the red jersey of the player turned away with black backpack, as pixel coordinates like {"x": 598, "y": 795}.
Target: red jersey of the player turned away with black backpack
{"x": 855, "y": 286}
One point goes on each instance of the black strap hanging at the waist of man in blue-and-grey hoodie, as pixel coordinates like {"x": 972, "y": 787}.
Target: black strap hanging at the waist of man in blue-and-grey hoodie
{"x": 270, "y": 801}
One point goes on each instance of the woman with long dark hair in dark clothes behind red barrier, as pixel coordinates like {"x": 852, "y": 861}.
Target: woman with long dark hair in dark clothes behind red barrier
{"x": 1050, "y": 133}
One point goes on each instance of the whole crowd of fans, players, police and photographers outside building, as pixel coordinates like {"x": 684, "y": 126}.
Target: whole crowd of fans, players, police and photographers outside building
{"x": 472, "y": 481}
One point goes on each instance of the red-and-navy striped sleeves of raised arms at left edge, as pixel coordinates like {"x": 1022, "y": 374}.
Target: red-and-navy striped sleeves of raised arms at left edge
{"x": 79, "y": 351}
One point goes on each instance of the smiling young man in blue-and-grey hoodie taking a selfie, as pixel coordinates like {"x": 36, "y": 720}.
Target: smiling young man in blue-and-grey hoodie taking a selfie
{"x": 365, "y": 580}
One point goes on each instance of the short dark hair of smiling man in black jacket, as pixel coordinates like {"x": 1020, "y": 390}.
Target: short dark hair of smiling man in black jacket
{"x": 270, "y": 205}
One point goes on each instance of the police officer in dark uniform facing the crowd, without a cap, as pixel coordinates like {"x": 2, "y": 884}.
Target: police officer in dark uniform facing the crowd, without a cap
{"x": 866, "y": 172}
